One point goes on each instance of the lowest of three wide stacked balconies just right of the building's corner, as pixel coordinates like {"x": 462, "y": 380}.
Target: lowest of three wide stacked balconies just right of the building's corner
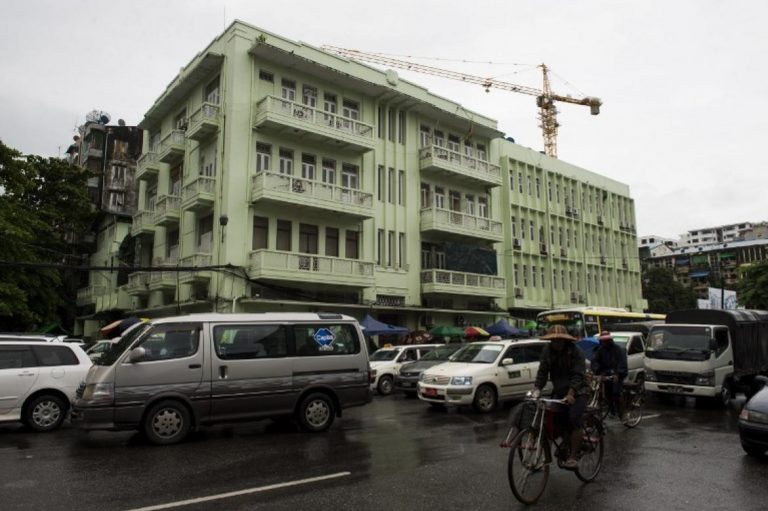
{"x": 310, "y": 269}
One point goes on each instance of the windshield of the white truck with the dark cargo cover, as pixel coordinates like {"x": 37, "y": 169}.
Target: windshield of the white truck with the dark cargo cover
{"x": 679, "y": 342}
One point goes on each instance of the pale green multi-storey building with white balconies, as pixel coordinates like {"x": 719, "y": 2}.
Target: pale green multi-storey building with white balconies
{"x": 303, "y": 181}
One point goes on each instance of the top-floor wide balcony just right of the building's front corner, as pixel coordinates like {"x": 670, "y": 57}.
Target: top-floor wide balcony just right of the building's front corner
{"x": 309, "y": 124}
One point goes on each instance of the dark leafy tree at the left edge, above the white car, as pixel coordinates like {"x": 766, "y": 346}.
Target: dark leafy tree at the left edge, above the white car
{"x": 44, "y": 208}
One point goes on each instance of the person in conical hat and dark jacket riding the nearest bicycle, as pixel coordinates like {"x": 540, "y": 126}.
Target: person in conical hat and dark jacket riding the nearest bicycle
{"x": 564, "y": 364}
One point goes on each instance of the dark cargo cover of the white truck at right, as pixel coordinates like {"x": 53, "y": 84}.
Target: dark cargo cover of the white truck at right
{"x": 749, "y": 334}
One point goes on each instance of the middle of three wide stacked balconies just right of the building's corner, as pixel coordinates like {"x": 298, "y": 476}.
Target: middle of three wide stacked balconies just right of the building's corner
{"x": 285, "y": 190}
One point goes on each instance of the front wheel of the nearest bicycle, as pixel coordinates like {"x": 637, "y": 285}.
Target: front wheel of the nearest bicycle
{"x": 527, "y": 469}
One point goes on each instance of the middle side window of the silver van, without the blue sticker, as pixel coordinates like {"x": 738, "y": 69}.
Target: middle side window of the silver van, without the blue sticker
{"x": 238, "y": 342}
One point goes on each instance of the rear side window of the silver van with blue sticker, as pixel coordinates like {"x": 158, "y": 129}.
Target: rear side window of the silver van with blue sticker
{"x": 326, "y": 339}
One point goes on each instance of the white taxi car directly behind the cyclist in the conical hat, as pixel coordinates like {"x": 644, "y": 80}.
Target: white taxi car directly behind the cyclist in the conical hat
{"x": 483, "y": 373}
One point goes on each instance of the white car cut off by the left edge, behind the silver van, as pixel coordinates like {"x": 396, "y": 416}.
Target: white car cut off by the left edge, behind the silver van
{"x": 38, "y": 381}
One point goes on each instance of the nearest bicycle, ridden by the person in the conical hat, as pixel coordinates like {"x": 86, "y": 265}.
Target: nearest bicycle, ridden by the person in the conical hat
{"x": 531, "y": 450}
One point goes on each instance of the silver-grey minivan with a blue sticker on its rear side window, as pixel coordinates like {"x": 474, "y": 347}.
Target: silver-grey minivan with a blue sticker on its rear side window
{"x": 170, "y": 375}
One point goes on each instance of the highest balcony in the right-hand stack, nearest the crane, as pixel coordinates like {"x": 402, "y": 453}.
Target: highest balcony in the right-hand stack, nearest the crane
{"x": 441, "y": 162}
